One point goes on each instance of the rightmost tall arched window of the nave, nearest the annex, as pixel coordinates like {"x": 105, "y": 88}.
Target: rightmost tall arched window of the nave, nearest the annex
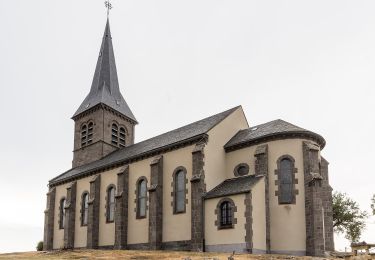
{"x": 179, "y": 191}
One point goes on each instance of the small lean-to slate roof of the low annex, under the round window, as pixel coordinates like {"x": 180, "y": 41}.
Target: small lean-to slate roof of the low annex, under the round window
{"x": 233, "y": 186}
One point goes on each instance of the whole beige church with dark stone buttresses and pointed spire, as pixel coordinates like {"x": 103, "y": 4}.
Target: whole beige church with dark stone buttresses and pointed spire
{"x": 215, "y": 185}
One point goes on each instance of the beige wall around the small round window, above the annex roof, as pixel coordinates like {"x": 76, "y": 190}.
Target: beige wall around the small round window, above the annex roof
{"x": 245, "y": 155}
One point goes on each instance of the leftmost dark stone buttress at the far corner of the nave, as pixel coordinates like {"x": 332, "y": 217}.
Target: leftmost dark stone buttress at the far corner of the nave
{"x": 49, "y": 220}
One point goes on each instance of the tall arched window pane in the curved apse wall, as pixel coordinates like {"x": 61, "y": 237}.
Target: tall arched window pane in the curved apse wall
{"x": 286, "y": 181}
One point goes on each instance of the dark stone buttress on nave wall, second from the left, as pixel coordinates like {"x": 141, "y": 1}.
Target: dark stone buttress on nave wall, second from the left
{"x": 70, "y": 215}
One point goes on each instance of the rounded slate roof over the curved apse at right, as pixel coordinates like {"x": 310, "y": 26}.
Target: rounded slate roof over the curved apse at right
{"x": 274, "y": 130}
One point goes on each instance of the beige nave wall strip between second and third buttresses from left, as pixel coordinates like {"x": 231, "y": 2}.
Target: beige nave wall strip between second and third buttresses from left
{"x": 80, "y": 234}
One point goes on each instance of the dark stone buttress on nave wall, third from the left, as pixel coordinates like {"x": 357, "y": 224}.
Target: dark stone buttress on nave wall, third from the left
{"x": 93, "y": 216}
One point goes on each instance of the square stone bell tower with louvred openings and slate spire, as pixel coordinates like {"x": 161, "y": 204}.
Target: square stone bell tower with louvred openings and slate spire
{"x": 104, "y": 121}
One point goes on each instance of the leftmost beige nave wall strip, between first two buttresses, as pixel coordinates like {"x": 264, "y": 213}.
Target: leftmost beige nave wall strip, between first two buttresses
{"x": 58, "y": 239}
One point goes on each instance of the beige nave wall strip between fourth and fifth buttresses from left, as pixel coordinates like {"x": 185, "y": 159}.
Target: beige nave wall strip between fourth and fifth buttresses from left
{"x": 137, "y": 228}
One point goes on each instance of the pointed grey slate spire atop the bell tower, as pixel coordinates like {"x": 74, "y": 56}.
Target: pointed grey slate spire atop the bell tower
{"x": 105, "y": 87}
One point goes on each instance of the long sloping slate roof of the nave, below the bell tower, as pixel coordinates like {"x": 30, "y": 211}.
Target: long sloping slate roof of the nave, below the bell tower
{"x": 194, "y": 131}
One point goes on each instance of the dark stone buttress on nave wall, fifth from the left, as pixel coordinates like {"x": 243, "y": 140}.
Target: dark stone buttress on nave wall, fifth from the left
{"x": 156, "y": 204}
